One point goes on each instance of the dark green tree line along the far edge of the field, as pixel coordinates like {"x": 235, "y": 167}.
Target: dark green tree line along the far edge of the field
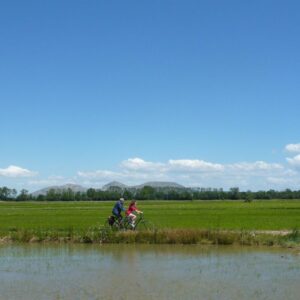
{"x": 147, "y": 193}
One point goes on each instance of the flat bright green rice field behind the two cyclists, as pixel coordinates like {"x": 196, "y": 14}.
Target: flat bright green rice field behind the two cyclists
{"x": 223, "y": 215}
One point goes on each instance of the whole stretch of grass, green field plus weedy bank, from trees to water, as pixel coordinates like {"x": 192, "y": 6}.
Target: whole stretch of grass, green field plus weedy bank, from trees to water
{"x": 216, "y": 222}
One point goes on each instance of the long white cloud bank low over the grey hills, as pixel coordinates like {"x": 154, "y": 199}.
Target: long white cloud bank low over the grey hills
{"x": 246, "y": 175}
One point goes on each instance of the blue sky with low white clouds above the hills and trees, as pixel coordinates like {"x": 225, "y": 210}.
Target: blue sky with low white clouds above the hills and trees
{"x": 205, "y": 93}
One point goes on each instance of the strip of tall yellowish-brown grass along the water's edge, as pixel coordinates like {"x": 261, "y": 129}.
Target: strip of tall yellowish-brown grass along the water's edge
{"x": 160, "y": 236}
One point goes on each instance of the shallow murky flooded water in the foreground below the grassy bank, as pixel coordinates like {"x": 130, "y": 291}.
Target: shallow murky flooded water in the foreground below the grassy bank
{"x": 147, "y": 272}
